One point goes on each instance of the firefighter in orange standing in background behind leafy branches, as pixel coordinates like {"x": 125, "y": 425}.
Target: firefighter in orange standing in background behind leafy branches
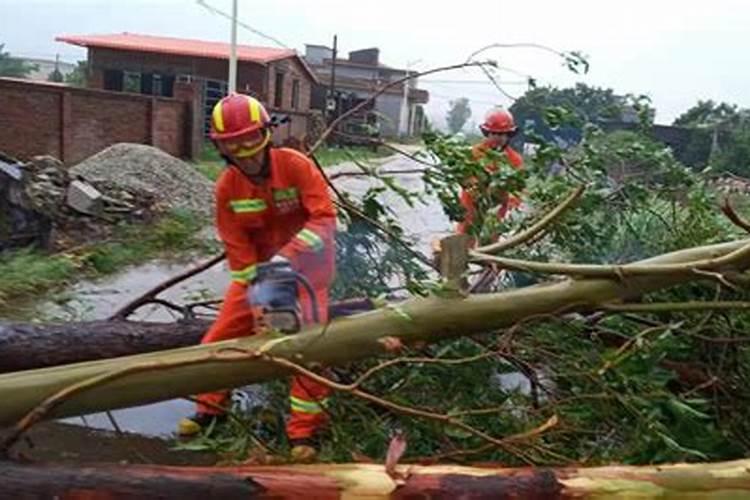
{"x": 498, "y": 128}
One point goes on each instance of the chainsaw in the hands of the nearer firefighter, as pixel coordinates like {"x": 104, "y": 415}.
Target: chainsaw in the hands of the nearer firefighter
{"x": 273, "y": 296}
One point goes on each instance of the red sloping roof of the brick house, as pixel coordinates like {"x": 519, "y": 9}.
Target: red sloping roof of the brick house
{"x": 177, "y": 46}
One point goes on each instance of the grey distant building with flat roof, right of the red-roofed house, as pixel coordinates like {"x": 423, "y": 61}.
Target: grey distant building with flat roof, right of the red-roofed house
{"x": 399, "y": 110}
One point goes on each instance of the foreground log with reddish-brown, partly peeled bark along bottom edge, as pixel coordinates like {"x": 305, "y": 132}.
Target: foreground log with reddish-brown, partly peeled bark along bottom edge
{"x": 338, "y": 481}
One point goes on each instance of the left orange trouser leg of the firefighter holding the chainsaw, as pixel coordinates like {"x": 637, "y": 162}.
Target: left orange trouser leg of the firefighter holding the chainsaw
{"x": 235, "y": 320}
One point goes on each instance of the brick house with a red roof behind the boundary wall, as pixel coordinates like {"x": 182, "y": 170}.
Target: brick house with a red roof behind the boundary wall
{"x": 196, "y": 71}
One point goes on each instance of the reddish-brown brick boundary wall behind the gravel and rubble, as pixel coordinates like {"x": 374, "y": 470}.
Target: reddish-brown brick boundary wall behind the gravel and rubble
{"x": 72, "y": 123}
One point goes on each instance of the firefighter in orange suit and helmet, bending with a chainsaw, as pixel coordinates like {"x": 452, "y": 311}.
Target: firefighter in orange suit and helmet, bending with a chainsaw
{"x": 272, "y": 204}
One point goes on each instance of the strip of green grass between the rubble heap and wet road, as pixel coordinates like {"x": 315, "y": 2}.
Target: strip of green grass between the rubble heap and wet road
{"x": 26, "y": 274}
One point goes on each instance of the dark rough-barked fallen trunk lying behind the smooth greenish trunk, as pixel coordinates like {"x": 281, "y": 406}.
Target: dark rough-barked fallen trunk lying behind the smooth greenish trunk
{"x": 27, "y": 346}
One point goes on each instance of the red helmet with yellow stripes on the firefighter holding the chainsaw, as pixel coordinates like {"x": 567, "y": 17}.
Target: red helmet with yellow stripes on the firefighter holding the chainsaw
{"x": 236, "y": 115}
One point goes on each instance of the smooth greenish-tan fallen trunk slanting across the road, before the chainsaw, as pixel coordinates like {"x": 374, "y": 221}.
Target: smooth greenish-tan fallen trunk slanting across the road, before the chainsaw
{"x": 134, "y": 380}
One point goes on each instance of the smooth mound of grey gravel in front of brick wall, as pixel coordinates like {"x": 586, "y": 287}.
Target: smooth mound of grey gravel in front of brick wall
{"x": 137, "y": 168}
